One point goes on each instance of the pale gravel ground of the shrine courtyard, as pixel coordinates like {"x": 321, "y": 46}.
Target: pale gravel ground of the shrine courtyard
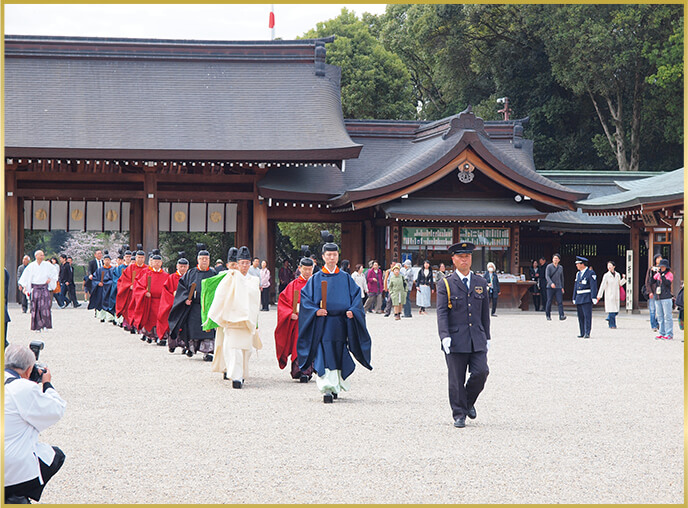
{"x": 561, "y": 419}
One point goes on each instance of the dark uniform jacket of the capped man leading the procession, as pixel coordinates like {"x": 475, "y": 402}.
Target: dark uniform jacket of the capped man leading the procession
{"x": 468, "y": 321}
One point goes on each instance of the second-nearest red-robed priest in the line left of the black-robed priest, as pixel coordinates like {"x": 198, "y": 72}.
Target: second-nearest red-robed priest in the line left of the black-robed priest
{"x": 147, "y": 293}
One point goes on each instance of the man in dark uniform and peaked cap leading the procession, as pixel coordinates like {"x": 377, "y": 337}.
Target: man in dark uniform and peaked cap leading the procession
{"x": 463, "y": 322}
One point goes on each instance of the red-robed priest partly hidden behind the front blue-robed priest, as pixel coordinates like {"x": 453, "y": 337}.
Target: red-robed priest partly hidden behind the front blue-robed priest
{"x": 287, "y": 329}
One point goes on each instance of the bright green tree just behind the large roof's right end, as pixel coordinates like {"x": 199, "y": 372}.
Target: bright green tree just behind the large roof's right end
{"x": 375, "y": 82}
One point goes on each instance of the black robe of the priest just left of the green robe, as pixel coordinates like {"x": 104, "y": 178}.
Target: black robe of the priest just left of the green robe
{"x": 185, "y": 320}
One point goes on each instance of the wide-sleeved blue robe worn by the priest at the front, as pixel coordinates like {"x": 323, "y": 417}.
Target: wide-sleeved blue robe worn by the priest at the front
{"x": 325, "y": 341}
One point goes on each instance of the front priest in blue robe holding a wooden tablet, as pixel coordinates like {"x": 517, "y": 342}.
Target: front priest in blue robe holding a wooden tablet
{"x": 332, "y": 326}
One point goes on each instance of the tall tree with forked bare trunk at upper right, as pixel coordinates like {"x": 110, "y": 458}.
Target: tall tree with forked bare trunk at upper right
{"x": 601, "y": 51}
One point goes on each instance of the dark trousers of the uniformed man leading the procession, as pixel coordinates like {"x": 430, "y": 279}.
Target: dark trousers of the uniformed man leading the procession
{"x": 462, "y": 393}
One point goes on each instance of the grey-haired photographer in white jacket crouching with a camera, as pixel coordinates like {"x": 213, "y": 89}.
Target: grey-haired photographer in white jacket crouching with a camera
{"x": 29, "y": 409}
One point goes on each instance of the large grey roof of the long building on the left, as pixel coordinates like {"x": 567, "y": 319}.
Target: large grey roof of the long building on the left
{"x": 187, "y": 98}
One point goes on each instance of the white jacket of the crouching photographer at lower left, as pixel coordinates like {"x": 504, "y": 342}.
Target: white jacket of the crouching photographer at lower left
{"x": 28, "y": 411}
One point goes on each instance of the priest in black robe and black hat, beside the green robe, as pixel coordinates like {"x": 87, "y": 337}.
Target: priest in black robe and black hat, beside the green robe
{"x": 185, "y": 315}
